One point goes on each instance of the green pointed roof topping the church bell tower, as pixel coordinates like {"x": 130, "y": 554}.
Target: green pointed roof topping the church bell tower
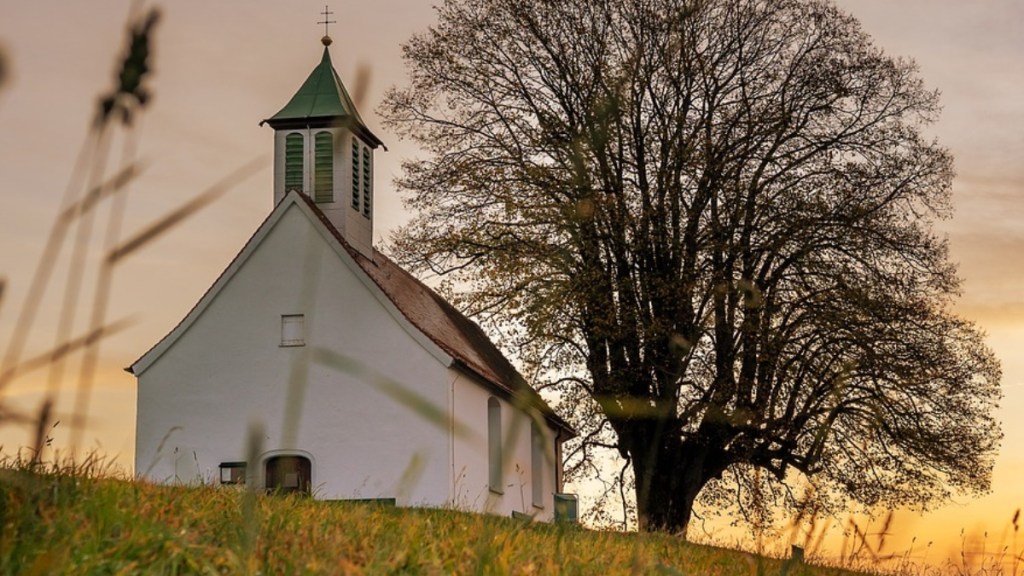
{"x": 322, "y": 100}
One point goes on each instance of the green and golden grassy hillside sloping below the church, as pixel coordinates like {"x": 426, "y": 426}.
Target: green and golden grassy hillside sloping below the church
{"x": 72, "y": 522}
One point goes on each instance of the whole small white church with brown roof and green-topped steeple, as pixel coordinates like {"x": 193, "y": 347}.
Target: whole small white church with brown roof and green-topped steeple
{"x": 317, "y": 364}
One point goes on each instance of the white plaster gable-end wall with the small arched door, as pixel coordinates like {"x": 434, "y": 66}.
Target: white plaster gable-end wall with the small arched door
{"x": 228, "y": 372}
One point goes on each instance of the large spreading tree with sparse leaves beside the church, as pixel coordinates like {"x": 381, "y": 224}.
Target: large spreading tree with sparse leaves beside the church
{"x": 714, "y": 219}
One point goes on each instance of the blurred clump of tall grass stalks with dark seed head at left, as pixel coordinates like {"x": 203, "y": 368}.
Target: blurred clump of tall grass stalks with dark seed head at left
{"x": 93, "y": 187}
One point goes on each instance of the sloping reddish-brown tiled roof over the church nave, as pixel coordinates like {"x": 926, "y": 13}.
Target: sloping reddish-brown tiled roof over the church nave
{"x": 462, "y": 339}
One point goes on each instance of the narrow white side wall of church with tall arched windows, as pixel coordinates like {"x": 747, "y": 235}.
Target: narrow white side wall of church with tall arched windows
{"x": 471, "y": 457}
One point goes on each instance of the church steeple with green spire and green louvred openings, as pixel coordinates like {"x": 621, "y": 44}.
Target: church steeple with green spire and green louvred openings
{"x": 323, "y": 149}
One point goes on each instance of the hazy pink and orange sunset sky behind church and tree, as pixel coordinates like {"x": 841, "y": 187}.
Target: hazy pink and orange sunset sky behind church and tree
{"x": 223, "y": 67}
